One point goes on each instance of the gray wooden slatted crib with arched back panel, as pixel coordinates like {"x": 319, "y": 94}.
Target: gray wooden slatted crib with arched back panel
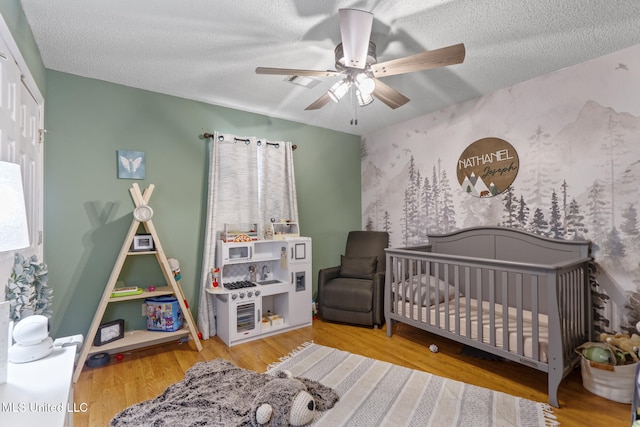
{"x": 518, "y": 295}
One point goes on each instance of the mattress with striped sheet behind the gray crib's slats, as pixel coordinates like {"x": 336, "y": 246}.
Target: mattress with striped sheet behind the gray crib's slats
{"x": 438, "y": 315}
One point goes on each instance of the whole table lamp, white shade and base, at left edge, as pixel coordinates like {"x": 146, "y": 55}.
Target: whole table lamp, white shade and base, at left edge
{"x": 14, "y": 234}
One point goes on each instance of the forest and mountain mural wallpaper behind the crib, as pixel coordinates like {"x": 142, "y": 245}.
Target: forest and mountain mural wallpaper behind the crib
{"x": 577, "y": 137}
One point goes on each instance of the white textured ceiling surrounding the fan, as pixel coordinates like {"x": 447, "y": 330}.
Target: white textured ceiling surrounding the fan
{"x": 208, "y": 50}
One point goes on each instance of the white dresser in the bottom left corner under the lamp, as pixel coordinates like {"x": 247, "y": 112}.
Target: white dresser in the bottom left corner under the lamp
{"x": 40, "y": 393}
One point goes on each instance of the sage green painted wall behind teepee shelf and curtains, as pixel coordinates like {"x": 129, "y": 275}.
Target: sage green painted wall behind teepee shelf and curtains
{"x": 88, "y": 209}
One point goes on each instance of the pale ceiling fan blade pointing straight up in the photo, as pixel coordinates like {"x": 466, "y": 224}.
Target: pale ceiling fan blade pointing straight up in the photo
{"x": 355, "y": 30}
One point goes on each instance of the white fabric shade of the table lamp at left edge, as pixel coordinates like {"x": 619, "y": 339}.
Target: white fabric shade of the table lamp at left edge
{"x": 14, "y": 232}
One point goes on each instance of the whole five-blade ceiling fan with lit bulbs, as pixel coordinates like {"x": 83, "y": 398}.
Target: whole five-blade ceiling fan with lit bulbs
{"x": 356, "y": 61}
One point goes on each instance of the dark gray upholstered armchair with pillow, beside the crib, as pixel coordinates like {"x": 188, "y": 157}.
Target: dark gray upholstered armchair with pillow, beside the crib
{"x": 354, "y": 291}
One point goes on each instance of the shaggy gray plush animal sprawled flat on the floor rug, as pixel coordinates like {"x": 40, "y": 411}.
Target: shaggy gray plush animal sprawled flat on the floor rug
{"x": 217, "y": 393}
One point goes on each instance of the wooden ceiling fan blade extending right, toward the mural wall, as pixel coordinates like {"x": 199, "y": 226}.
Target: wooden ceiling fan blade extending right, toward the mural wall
{"x": 422, "y": 61}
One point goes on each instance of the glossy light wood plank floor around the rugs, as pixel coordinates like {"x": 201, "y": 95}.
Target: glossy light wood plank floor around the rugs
{"x": 144, "y": 374}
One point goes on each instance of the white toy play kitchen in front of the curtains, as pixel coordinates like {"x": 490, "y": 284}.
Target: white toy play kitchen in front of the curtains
{"x": 262, "y": 287}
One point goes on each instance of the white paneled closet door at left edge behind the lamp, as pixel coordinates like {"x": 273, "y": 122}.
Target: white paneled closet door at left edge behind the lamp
{"x": 20, "y": 123}
